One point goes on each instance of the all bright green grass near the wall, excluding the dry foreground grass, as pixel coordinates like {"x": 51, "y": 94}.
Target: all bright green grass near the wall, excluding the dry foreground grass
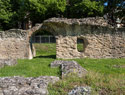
{"x": 46, "y": 53}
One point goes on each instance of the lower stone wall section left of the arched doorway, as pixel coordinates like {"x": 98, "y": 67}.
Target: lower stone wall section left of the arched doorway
{"x": 16, "y": 43}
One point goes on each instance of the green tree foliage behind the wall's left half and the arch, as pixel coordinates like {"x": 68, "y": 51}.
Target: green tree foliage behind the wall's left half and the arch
{"x": 14, "y": 11}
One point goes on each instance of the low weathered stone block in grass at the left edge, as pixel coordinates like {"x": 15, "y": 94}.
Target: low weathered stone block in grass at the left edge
{"x": 7, "y": 62}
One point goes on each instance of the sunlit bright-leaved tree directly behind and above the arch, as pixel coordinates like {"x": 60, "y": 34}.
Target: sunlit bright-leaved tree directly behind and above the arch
{"x": 44, "y": 9}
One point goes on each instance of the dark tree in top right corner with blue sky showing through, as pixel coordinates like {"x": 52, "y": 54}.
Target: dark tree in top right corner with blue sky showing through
{"x": 115, "y": 9}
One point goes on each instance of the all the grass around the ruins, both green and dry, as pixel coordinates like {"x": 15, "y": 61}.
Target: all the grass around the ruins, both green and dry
{"x": 105, "y": 76}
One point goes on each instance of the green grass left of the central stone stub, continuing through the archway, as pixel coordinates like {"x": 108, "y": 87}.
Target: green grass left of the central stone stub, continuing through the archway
{"x": 38, "y": 66}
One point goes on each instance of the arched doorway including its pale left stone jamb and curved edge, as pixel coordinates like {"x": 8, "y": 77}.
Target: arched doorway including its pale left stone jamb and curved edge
{"x": 43, "y": 37}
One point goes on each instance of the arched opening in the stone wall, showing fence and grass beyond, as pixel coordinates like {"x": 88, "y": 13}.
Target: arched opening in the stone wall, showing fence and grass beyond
{"x": 42, "y": 44}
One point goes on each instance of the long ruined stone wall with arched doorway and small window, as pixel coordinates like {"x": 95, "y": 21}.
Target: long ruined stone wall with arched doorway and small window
{"x": 99, "y": 39}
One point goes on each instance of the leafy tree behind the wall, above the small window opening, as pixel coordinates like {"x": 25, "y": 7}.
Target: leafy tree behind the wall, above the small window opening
{"x": 86, "y": 8}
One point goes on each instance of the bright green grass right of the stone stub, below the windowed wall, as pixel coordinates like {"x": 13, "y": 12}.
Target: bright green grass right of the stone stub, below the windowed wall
{"x": 105, "y": 66}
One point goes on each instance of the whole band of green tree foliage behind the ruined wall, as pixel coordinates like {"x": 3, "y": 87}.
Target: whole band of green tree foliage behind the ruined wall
{"x": 13, "y": 12}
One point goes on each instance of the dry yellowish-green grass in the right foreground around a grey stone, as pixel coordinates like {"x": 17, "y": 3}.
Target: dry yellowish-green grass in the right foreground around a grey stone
{"x": 101, "y": 84}
